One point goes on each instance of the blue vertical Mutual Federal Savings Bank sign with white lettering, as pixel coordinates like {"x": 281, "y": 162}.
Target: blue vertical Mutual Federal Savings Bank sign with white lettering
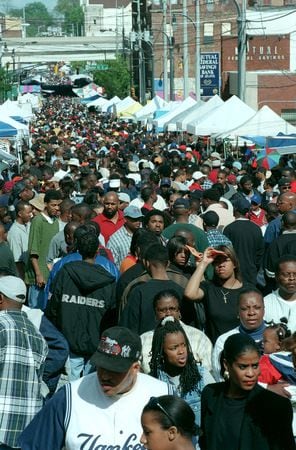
{"x": 209, "y": 74}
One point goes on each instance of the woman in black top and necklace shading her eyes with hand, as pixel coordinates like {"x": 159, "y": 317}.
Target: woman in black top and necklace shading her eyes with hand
{"x": 219, "y": 296}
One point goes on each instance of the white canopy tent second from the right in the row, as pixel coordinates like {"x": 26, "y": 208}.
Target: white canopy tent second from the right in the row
{"x": 230, "y": 114}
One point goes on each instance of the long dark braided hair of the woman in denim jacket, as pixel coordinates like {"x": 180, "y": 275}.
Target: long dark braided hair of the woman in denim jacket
{"x": 190, "y": 375}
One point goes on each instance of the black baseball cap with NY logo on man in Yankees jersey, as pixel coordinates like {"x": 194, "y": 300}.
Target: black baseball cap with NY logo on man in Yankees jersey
{"x": 118, "y": 349}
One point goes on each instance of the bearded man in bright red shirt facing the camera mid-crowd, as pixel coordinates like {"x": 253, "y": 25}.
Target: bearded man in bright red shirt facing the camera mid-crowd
{"x": 111, "y": 219}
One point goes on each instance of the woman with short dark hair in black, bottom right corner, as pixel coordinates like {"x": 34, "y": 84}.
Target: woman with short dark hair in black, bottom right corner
{"x": 239, "y": 414}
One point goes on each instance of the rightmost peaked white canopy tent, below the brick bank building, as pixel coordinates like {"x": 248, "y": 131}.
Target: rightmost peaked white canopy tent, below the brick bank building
{"x": 264, "y": 123}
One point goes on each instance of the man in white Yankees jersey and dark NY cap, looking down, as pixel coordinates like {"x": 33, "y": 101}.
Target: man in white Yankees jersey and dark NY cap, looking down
{"x": 102, "y": 409}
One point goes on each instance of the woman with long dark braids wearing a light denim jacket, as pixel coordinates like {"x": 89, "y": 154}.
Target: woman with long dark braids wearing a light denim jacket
{"x": 172, "y": 361}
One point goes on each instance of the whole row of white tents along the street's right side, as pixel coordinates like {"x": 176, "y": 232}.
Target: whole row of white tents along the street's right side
{"x": 211, "y": 118}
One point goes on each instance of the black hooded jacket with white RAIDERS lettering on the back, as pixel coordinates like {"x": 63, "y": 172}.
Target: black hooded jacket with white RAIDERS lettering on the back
{"x": 82, "y": 294}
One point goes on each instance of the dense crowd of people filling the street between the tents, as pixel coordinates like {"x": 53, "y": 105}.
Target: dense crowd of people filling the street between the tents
{"x": 147, "y": 291}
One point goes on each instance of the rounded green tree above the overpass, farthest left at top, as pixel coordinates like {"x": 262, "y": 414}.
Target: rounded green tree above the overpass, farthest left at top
{"x": 36, "y": 14}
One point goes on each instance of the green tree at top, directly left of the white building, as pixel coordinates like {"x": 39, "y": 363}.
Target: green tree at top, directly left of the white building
{"x": 73, "y": 16}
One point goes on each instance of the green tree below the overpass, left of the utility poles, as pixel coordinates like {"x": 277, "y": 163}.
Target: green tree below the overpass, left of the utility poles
{"x": 116, "y": 79}
